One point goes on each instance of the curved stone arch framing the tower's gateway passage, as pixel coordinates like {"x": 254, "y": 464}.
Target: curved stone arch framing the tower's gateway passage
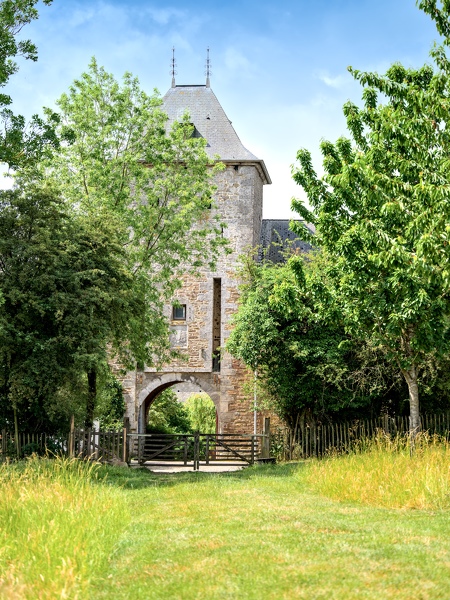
{"x": 160, "y": 382}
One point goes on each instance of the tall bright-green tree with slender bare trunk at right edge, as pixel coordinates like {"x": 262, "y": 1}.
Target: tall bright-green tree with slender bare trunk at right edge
{"x": 382, "y": 214}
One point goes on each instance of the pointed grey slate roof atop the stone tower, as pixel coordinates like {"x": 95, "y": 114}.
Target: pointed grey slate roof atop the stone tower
{"x": 211, "y": 122}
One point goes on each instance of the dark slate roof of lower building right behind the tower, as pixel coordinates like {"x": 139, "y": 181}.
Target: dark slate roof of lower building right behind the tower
{"x": 276, "y": 237}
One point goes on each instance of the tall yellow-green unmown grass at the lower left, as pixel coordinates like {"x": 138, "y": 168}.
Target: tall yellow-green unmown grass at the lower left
{"x": 57, "y": 528}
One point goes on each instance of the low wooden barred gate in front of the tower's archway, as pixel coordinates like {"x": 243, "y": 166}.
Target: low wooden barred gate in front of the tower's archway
{"x": 194, "y": 450}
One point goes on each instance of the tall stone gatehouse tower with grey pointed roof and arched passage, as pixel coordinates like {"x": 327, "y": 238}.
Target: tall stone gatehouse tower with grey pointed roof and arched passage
{"x": 200, "y": 321}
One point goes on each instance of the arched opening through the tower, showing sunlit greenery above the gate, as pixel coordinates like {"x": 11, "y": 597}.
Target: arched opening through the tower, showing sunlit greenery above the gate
{"x": 180, "y": 408}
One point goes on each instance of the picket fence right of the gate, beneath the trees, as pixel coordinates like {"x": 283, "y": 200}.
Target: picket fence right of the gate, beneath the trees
{"x": 322, "y": 438}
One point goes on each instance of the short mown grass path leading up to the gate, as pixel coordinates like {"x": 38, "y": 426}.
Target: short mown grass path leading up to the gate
{"x": 262, "y": 533}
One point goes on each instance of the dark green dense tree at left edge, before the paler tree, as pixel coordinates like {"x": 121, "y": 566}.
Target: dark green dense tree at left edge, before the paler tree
{"x": 65, "y": 294}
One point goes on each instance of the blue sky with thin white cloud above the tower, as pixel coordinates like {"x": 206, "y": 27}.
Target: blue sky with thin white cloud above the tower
{"x": 279, "y": 69}
